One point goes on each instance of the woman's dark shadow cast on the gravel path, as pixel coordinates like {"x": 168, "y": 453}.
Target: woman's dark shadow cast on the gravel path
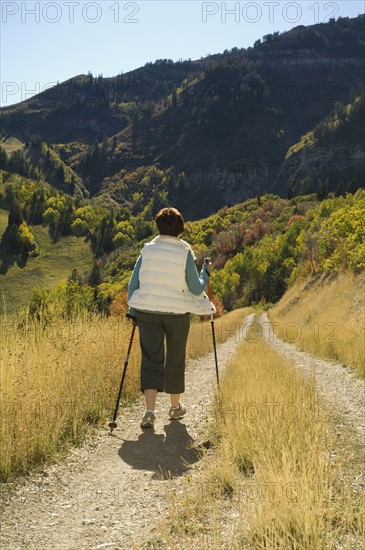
{"x": 167, "y": 456}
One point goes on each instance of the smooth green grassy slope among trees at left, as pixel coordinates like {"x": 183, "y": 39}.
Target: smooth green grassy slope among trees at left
{"x": 53, "y": 265}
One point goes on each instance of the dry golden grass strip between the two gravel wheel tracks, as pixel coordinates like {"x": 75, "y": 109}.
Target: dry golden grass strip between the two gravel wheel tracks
{"x": 274, "y": 480}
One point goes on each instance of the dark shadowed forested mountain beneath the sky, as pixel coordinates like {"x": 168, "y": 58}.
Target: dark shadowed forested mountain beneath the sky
{"x": 217, "y": 131}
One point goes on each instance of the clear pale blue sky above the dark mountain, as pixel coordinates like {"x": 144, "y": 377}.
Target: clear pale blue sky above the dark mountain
{"x": 44, "y": 42}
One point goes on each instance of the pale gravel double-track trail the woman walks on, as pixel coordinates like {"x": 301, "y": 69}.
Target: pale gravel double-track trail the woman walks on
{"x": 111, "y": 492}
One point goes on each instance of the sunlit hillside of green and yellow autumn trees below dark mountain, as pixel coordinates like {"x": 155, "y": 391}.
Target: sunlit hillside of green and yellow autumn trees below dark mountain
{"x": 258, "y": 247}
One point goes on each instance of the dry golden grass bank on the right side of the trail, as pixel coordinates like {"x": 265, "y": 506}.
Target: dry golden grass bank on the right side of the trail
{"x": 326, "y": 319}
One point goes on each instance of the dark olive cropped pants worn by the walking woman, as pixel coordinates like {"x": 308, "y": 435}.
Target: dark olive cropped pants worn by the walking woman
{"x": 159, "y": 370}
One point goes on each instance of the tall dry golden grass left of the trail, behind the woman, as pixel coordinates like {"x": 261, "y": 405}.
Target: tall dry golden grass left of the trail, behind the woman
{"x": 57, "y": 381}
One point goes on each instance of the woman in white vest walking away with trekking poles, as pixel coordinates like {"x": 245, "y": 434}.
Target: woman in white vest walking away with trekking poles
{"x": 164, "y": 289}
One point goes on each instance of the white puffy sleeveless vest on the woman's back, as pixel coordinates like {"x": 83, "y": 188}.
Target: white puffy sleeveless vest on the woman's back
{"x": 162, "y": 281}
